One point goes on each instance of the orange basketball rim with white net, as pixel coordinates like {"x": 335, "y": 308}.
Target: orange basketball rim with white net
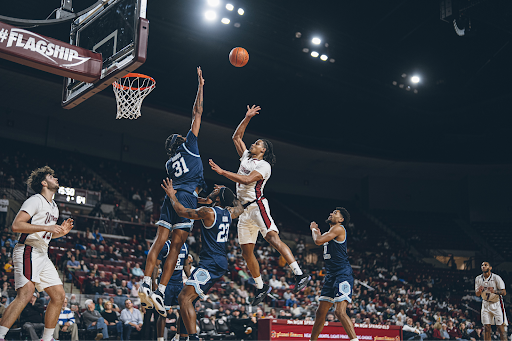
{"x": 130, "y": 91}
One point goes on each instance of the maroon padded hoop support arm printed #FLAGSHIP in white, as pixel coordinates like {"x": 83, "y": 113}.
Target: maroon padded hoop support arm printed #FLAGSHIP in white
{"x": 48, "y": 54}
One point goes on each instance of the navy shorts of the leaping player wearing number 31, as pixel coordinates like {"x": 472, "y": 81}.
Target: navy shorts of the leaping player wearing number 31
{"x": 168, "y": 217}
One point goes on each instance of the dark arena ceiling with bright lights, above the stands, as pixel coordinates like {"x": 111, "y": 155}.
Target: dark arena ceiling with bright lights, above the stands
{"x": 460, "y": 113}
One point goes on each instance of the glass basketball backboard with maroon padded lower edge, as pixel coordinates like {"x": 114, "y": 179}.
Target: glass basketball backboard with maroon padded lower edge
{"x": 118, "y": 29}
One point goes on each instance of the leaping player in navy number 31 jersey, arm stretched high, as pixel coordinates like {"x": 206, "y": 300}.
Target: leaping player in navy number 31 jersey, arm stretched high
{"x": 185, "y": 168}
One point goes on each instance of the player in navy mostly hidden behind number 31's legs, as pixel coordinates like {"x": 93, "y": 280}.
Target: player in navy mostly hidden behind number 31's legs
{"x": 173, "y": 288}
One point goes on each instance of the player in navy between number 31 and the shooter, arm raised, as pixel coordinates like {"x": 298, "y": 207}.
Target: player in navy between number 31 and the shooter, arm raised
{"x": 213, "y": 262}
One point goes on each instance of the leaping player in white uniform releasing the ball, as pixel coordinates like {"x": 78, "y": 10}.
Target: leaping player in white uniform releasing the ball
{"x": 254, "y": 171}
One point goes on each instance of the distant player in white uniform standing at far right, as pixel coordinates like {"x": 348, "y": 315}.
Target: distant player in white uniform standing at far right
{"x": 491, "y": 288}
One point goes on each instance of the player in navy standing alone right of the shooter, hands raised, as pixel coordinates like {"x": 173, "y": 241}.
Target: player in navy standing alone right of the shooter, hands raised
{"x": 339, "y": 280}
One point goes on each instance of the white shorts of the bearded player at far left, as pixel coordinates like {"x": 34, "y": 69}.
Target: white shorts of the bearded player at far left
{"x": 32, "y": 264}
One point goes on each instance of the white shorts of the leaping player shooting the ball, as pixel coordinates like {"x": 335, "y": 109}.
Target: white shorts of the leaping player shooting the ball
{"x": 256, "y": 217}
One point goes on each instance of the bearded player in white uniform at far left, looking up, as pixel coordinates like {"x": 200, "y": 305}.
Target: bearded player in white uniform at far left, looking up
{"x": 36, "y": 221}
